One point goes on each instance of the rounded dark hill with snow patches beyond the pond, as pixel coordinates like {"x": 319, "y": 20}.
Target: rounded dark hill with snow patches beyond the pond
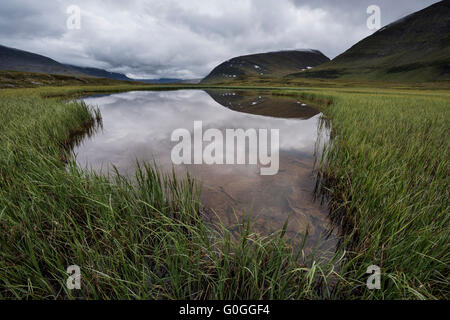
{"x": 265, "y": 64}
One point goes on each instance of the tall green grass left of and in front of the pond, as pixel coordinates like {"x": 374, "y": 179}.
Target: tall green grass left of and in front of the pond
{"x": 133, "y": 238}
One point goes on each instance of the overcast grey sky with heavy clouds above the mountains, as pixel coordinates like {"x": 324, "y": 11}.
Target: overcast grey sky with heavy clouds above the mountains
{"x": 187, "y": 38}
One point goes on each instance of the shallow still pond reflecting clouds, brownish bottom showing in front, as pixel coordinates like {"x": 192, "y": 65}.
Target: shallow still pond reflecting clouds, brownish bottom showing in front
{"x": 138, "y": 125}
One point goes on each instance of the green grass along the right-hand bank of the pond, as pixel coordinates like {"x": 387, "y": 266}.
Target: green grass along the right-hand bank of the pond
{"x": 387, "y": 172}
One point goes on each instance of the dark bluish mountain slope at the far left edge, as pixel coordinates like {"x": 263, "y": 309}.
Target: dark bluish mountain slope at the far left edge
{"x": 19, "y": 60}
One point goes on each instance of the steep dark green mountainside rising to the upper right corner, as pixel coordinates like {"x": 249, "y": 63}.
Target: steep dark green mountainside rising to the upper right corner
{"x": 415, "y": 48}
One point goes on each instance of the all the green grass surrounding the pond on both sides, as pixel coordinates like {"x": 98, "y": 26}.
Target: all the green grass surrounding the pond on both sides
{"x": 386, "y": 175}
